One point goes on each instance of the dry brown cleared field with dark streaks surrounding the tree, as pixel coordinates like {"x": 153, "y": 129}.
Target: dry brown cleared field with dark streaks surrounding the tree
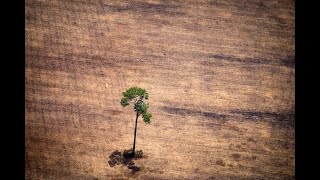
{"x": 220, "y": 76}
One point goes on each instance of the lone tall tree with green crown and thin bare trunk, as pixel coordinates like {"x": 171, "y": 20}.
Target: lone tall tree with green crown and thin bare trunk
{"x": 138, "y": 97}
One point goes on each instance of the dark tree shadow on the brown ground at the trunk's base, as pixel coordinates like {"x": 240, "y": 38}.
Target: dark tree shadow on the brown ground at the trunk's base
{"x": 117, "y": 158}
